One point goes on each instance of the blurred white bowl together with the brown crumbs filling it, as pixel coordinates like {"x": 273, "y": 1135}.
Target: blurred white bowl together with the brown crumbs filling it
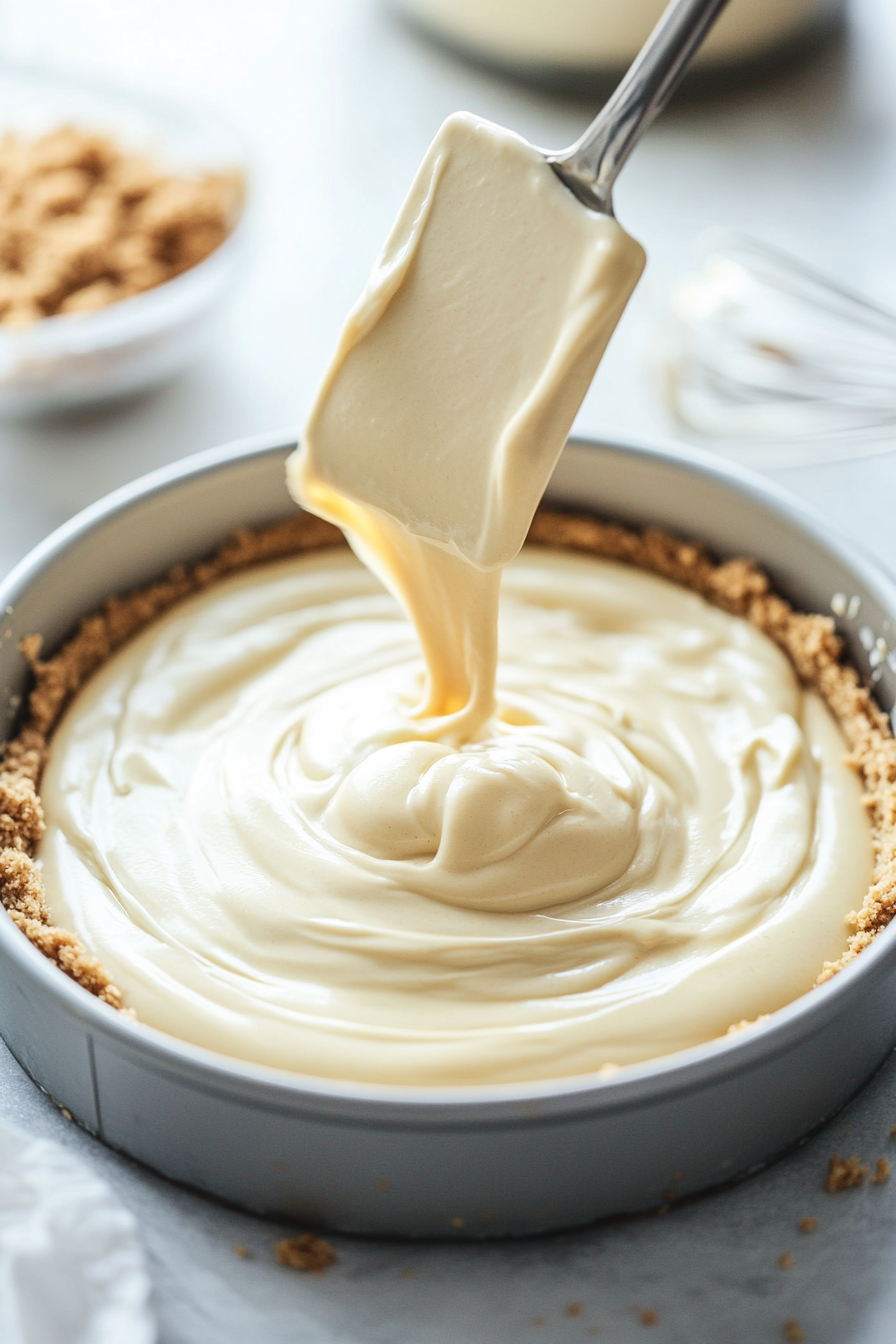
{"x": 122, "y": 235}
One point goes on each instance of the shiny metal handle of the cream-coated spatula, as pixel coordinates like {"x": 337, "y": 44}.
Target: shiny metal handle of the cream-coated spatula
{"x": 592, "y": 166}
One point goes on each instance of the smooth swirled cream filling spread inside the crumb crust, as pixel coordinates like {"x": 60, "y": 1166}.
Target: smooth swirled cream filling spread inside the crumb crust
{"x": 654, "y": 837}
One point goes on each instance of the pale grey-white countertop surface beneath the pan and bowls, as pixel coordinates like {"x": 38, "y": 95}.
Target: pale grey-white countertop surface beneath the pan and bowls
{"x": 338, "y": 104}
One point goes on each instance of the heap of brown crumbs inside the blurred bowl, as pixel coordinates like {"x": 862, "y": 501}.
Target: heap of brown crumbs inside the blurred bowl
{"x": 84, "y": 224}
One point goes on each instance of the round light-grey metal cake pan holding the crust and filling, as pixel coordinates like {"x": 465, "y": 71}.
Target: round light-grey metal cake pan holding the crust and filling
{"x": 478, "y": 1162}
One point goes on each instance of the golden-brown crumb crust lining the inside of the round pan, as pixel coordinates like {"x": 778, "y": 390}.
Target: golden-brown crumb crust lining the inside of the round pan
{"x": 737, "y": 587}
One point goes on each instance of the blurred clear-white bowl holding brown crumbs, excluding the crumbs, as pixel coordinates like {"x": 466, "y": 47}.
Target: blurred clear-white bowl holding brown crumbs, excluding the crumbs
{"x": 136, "y": 343}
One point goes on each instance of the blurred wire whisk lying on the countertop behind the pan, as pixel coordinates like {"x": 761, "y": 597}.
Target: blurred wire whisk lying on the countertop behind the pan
{"x": 770, "y": 355}
